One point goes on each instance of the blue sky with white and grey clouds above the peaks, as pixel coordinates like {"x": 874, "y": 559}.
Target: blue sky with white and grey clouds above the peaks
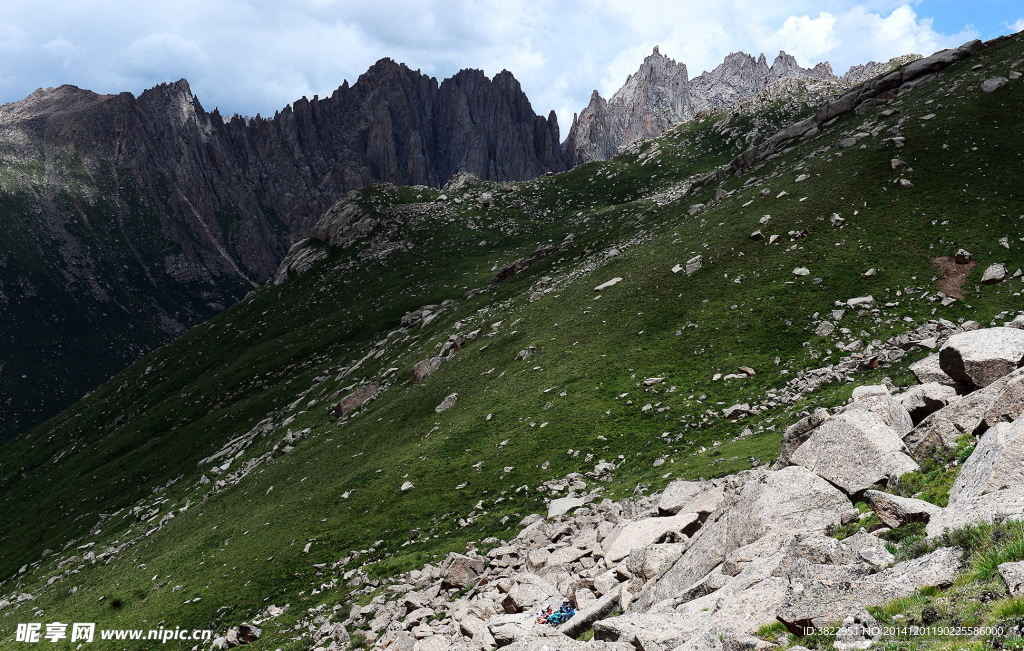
{"x": 258, "y": 57}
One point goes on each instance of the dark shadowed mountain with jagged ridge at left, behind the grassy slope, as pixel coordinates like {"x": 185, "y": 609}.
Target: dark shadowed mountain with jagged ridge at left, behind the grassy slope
{"x": 132, "y": 220}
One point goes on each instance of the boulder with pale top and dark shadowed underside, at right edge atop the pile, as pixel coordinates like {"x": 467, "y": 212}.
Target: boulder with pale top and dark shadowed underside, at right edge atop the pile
{"x": 983, "y": 357}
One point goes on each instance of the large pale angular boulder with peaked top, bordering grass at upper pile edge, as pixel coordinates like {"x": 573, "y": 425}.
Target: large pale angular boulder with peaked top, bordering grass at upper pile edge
{"x": 856, "y": 451}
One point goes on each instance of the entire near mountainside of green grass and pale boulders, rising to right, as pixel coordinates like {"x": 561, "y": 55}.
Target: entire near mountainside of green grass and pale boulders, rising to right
{"x": 502, "y": 370}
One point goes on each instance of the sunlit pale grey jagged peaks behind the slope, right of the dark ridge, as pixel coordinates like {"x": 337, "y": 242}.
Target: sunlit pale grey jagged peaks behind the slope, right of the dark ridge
{"x": 661, "y": 95}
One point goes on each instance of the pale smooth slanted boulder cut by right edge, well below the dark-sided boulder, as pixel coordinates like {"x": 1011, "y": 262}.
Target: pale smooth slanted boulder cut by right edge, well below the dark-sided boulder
{"x": 998, "y": 462}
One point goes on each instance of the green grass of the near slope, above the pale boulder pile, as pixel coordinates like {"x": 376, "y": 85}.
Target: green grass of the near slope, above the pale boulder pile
{"x": 145, "y": 429}
